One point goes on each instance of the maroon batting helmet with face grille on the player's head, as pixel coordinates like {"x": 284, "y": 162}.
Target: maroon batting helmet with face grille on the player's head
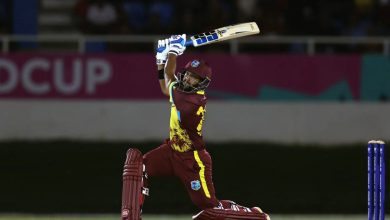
{"x": 199, "y": 68}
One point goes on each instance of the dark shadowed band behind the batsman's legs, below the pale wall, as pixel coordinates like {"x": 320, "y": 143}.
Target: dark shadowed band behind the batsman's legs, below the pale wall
{"x": 85, "y": 177}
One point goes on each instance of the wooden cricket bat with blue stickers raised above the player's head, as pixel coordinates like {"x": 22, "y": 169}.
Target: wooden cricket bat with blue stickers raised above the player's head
{"x": 223, "y": 33}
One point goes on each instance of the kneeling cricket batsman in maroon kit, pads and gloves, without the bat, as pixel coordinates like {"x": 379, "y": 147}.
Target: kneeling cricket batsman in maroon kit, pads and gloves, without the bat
{"x": 184, "y": 154}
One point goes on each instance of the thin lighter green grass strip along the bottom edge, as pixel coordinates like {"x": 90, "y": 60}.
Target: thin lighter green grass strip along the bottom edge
{"x": 171, "y": 217}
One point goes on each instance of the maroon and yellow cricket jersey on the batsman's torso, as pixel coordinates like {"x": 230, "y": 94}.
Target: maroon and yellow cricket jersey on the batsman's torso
{"x": 187, "y": 116}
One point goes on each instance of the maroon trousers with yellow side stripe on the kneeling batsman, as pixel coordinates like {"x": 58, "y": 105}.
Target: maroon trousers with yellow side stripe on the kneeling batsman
{"x": 193, "y": 168}
